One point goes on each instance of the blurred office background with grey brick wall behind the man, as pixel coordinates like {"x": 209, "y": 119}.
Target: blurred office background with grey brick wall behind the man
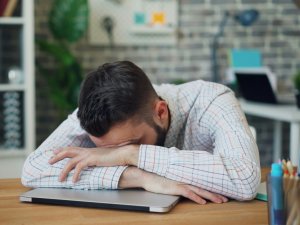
{"x": 47, "y": 47}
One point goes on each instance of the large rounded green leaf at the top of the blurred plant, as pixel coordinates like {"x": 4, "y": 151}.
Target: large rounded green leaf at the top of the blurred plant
{"x": 68, "y": 19}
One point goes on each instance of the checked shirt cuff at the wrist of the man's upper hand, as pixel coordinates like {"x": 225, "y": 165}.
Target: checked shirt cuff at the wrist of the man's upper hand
{"x": 154, "y": 159}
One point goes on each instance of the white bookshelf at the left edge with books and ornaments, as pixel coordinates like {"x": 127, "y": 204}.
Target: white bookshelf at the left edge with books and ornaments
{"x": 17, "y": 88}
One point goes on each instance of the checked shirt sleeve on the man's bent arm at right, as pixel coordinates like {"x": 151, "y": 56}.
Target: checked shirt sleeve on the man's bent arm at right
{"x": 232, "y": 170}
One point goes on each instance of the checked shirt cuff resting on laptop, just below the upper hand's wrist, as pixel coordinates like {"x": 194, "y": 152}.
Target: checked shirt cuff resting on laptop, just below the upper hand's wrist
{"x": 106, "y": 177}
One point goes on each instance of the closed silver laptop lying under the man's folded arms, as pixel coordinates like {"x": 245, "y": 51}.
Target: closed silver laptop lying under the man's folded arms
{"x": 127, "y": 199}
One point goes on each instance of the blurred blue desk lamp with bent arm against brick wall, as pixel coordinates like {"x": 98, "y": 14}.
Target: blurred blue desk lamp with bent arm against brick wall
{"x": 245, "y": 18}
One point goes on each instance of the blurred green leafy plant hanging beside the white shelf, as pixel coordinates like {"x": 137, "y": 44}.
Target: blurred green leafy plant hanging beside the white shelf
{"x": 67, "y": 23}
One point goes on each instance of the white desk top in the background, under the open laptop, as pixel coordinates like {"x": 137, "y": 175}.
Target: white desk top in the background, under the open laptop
{"x": 288, "y": 113}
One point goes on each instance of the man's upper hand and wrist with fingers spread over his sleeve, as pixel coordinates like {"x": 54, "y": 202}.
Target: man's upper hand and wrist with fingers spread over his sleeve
{"x": 82, "y": 158}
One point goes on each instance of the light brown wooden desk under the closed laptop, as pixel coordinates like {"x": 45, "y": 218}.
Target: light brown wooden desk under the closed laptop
{"x": 12, "y": 212}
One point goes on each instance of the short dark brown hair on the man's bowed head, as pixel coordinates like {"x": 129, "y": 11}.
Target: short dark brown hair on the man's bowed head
{"x": 114, "y": 93}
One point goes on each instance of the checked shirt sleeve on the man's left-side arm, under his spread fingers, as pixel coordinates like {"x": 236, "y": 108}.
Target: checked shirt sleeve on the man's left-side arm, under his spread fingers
{"x": 37, "y": 172}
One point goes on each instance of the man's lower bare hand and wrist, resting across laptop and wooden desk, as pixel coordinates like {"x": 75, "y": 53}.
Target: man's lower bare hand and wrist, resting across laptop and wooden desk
{"x": 134, "y": 177}
